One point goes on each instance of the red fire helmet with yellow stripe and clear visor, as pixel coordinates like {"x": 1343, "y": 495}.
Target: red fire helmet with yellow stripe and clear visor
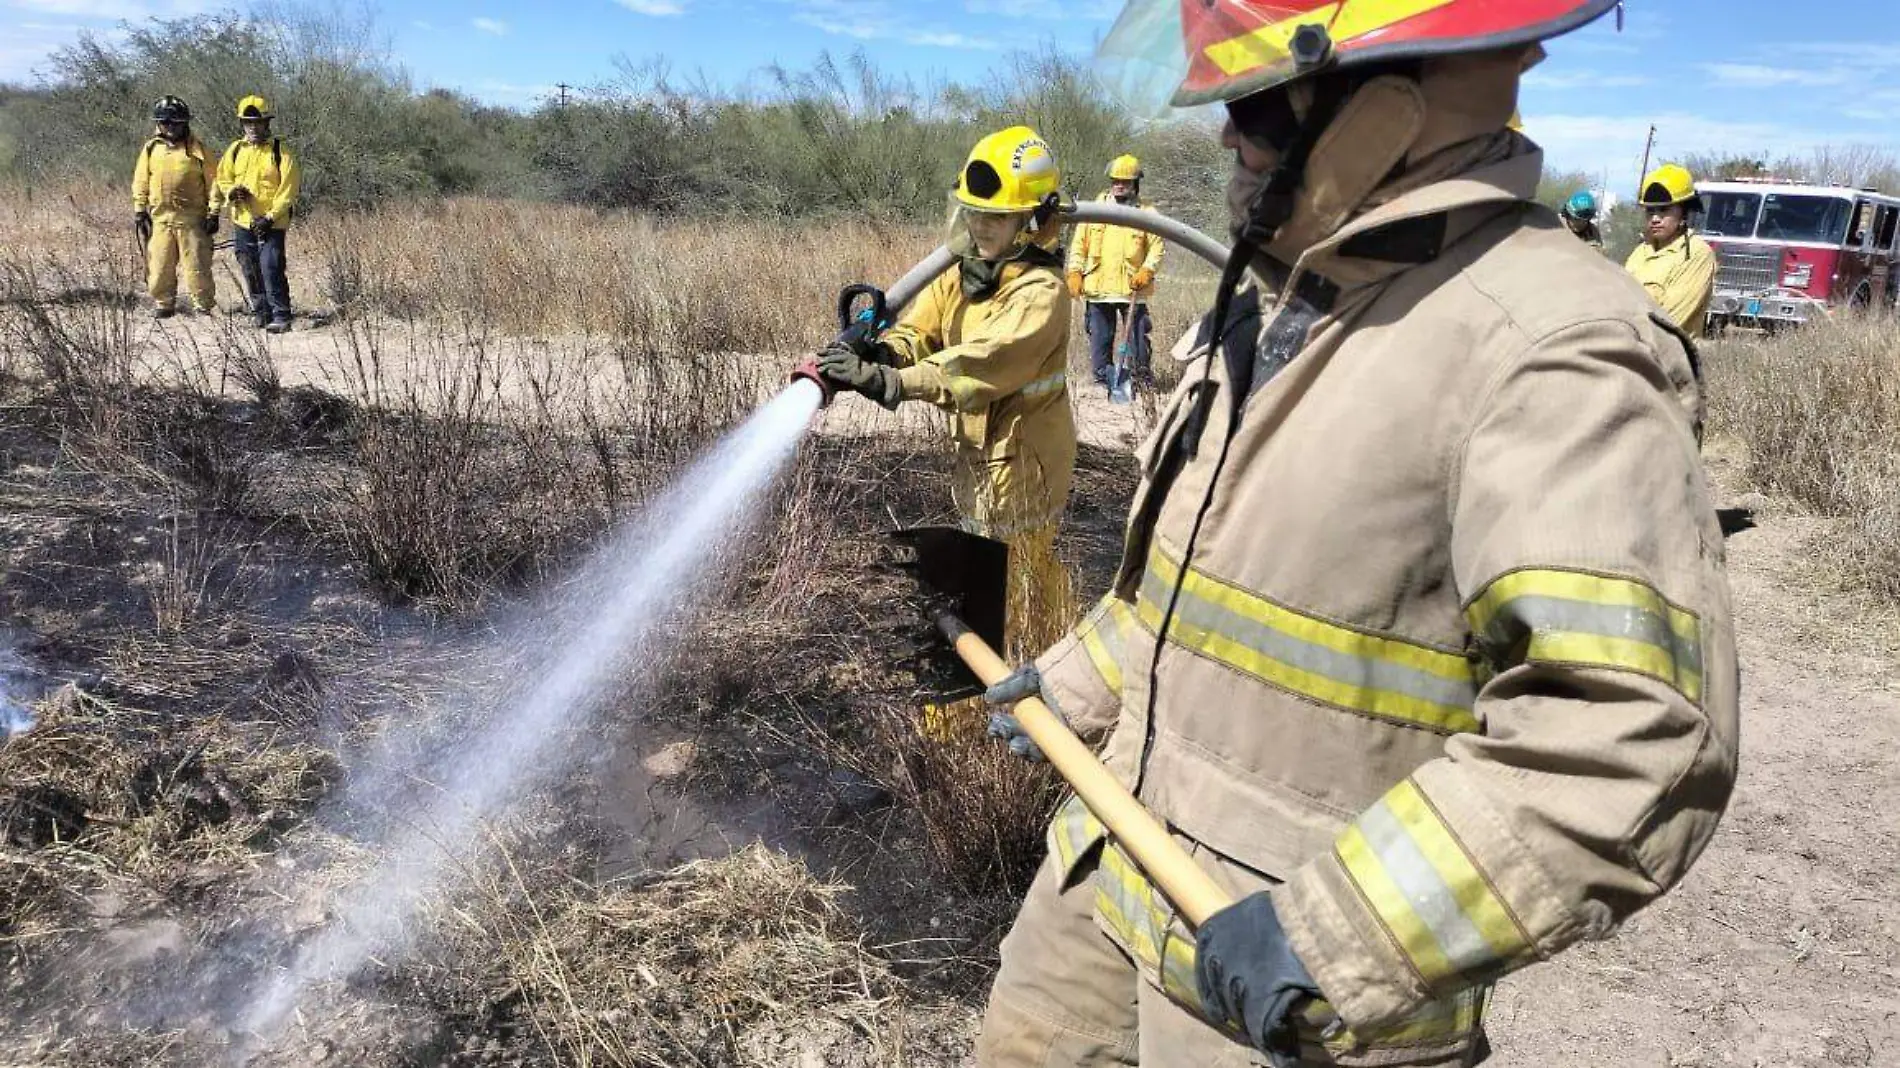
{"x": 1225, "y": 50}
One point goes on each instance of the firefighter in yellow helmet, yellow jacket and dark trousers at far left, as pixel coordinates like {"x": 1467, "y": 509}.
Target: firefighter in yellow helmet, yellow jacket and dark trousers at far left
{"x": 259, "y": 178}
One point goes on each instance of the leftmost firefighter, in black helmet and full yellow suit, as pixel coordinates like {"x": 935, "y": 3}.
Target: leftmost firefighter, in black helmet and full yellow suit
{"x": 172, "y": 197}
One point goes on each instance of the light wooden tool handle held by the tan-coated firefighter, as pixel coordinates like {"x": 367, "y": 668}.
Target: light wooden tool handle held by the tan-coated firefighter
{"x": 1137, "y": 831}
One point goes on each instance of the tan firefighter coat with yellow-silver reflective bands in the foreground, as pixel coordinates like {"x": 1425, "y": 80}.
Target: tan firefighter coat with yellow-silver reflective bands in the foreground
{"x": 1449, "y": 641}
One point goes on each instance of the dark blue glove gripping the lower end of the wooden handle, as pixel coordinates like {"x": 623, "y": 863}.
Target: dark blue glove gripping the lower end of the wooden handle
{"x": 1251, "y": 978}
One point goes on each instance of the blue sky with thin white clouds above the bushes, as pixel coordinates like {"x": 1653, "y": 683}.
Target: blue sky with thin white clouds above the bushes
{"x": 1711, "y": 75}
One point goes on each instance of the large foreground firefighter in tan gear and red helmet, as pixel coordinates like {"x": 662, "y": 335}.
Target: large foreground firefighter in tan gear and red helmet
{"x": 1420, "y": 641}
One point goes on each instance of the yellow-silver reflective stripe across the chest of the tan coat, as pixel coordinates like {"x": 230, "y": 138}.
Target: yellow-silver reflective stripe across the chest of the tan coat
{"x": 1304, "y": 655}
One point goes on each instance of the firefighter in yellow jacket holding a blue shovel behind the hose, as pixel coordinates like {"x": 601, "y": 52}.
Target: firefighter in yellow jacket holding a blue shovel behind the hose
{"x": 1112, "y": 271}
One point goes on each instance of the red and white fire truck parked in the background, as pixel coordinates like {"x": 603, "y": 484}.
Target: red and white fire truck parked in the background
{"x": 1793, "y": 252}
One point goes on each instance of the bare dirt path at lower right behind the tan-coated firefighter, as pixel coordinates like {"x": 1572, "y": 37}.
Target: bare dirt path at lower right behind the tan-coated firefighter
{"x": 1781, "y": 945}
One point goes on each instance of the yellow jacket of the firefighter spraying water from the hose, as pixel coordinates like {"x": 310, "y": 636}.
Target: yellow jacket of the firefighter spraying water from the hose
{"x": 997, "y": 368}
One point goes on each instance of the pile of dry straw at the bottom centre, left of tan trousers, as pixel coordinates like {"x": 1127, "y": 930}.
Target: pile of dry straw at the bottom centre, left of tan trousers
{"x": 693, "y": 966}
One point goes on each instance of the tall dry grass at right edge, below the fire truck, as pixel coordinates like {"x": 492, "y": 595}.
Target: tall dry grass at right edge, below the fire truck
{"x": 1819, "y": 415}
